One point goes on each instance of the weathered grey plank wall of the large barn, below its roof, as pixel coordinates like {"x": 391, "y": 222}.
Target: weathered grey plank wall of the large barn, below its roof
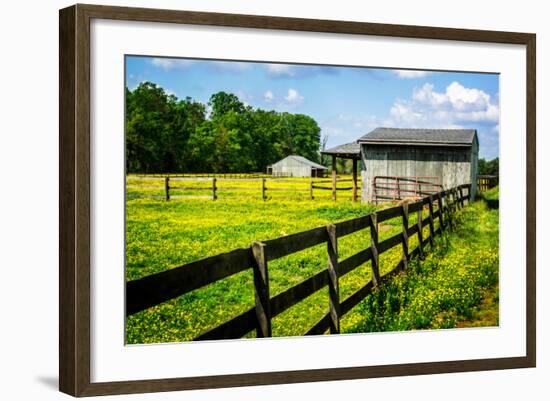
{"x": 454, "y": 166}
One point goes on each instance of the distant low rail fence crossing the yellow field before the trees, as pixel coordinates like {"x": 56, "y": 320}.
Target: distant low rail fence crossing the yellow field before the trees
{"x": 211, "y": 185}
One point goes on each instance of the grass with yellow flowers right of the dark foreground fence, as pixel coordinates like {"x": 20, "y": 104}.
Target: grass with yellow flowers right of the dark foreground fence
{"x": 456, "y": 285}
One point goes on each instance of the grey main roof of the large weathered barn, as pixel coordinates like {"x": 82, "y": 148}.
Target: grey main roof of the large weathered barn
{"x": 420, "y": 136}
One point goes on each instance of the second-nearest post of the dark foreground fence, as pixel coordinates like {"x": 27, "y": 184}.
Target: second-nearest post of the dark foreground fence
{"x": 333, "y": 288}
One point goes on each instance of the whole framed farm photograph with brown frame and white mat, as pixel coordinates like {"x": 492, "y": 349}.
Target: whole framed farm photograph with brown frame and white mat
{"x": 250, "y": 200}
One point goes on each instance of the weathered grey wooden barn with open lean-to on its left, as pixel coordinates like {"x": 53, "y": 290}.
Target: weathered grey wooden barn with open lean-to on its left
{"x": 397, "y": 163}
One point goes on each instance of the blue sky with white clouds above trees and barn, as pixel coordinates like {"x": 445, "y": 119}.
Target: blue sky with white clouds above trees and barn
{"x": 346, "y": 102}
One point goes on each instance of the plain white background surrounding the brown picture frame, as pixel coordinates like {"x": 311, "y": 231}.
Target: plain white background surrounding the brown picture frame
{"x": 28, "y": 216}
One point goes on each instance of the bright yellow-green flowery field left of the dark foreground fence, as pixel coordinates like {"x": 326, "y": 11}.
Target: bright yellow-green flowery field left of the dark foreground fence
{"x": 161, "y": 235}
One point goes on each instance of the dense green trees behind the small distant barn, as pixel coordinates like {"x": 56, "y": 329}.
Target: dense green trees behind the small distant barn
{"x": 165, "y": 134}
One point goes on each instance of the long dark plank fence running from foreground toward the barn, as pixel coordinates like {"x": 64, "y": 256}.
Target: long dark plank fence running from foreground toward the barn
{"x": 160, "y": 287}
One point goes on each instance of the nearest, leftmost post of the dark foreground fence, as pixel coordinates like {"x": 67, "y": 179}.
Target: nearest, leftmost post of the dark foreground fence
{"x": 261, "y": 290}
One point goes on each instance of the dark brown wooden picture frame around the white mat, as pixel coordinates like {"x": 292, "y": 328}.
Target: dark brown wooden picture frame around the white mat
{"x": 74, "y": 202}
